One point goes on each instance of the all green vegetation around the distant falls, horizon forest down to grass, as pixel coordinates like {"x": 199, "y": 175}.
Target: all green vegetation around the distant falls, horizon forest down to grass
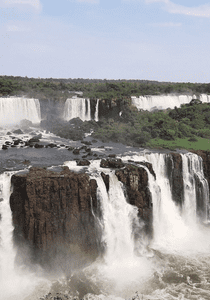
{"x": 184, "y": 127}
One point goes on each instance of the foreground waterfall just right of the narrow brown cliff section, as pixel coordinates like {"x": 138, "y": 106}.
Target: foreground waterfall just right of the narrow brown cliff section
{"x": 168, "y": 223}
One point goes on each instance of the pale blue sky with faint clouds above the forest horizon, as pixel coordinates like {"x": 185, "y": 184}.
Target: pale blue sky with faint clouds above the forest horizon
{"x": 163, "y": 40}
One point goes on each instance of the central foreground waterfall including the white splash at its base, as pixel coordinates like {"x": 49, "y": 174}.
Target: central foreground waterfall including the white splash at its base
{"x": 119, "y": 220}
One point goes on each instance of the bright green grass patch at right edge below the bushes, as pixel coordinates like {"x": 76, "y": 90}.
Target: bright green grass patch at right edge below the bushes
{"x": 200, "y": 144}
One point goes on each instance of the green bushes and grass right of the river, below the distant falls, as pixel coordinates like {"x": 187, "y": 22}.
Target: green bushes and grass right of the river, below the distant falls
{"x": 185, "y": 127}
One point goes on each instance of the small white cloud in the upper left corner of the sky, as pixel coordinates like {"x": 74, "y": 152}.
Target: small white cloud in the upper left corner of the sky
{"x": 35, "y": 4}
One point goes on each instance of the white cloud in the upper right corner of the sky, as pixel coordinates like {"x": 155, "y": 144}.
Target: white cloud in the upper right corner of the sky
{"x": 198, "y": 11}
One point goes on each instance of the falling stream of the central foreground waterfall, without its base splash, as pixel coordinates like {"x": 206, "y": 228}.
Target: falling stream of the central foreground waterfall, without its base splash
{"x": 118, "y": 216}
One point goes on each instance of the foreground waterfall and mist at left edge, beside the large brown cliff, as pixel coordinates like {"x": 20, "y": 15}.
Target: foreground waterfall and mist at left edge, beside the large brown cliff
{"x": 15, "y": 284}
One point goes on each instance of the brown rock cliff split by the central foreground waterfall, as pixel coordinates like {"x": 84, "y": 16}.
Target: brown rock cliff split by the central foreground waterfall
{"x": 53, "y": 212}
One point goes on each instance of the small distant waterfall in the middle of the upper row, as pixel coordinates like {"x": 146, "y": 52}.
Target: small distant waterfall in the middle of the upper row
{"x": 77, "y": 108}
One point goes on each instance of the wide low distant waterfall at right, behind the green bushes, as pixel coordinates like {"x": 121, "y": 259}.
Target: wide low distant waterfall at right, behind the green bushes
{"x": 165, "y": 101}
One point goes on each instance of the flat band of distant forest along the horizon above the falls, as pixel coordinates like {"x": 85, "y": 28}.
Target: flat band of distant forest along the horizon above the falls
{"x": 94, "y": 88}
